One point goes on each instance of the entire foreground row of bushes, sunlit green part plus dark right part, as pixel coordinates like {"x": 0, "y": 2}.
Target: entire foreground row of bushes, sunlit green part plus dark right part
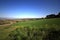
{"x": 27, "y": 33}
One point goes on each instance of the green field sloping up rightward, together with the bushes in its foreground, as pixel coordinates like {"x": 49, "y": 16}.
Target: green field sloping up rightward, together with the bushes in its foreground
{"x": 44, "y": 29}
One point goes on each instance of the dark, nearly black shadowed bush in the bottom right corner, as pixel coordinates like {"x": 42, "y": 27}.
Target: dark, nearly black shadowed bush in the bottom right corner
{"x": 52, "y": 34}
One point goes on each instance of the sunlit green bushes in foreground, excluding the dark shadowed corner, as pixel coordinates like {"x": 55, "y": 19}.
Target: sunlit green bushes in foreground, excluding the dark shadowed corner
{"x": 26, "y": 33}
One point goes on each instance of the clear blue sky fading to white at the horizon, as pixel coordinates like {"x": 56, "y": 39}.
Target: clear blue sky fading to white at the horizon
{"x": 28, "y": 8}
